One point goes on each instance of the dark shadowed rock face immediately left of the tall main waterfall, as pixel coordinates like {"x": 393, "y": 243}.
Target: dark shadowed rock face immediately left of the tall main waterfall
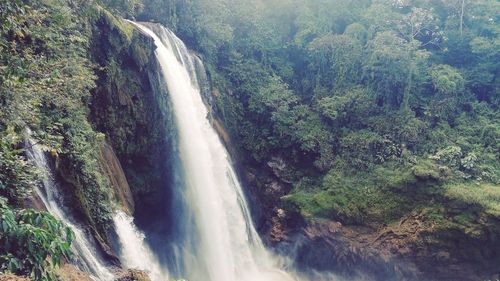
{"x": 131, "y": 108}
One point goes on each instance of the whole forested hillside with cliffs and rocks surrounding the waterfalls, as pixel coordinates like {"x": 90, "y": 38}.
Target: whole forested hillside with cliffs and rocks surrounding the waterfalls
{"x": 368, "y": 129}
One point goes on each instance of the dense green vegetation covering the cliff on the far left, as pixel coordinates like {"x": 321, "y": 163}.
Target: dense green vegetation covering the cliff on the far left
{"x": 45, "y": 84}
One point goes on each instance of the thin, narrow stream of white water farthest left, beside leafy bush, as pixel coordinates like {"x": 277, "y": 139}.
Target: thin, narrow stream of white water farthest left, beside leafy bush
{"x": 85, "y": 256}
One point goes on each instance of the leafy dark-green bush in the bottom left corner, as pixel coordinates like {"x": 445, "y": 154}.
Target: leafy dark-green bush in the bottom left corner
{"x": 32, "y": 243}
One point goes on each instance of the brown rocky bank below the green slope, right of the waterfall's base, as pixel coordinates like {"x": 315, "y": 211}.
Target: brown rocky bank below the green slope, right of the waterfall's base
{"x": 406, "y": 250}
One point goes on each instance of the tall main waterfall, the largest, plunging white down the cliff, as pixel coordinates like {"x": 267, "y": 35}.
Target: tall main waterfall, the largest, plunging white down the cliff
{"x": 220, "y": 242}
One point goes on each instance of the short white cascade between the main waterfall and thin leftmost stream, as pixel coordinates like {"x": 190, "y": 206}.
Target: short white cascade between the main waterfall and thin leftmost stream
{"x": 134, "y": 252}
